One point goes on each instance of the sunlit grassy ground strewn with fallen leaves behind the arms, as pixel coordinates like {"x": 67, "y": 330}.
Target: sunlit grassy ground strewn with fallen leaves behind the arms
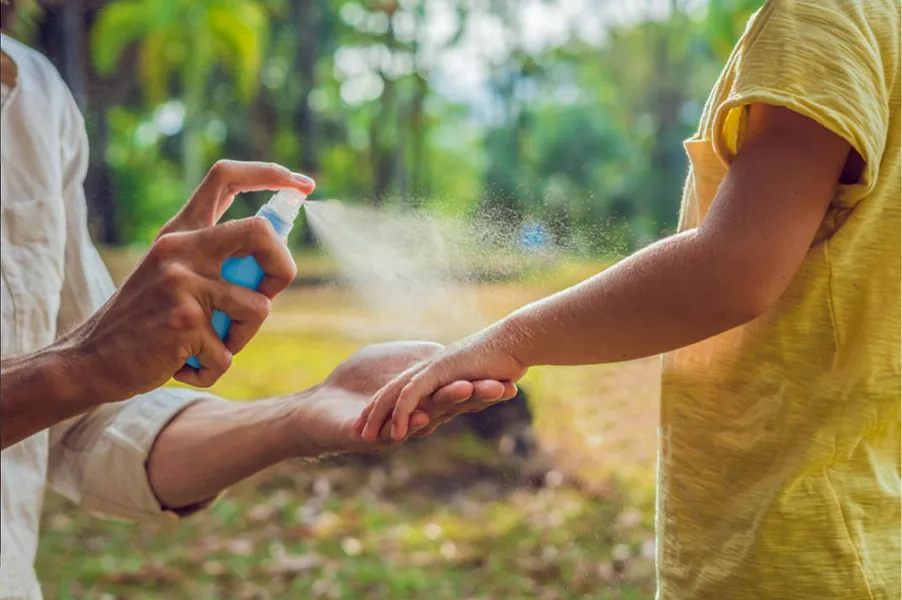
{"x": 446, "y": 518}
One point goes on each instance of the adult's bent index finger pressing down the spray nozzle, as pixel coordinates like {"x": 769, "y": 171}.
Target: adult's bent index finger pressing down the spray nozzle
{"x": 223, "y": 181}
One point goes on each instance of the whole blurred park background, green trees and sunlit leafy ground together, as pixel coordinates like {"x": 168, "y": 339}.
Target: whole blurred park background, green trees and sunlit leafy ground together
{"x": 564, "y": 117}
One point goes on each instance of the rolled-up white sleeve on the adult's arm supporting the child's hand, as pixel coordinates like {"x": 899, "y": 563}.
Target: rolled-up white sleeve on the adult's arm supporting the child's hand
{"x": 99, "y": 459}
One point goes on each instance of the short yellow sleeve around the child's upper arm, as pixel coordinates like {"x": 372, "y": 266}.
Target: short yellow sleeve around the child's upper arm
{"x": 819, "y": 58}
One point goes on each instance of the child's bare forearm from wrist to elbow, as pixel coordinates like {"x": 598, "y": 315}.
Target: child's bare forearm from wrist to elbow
{"x": 672, "y": 294}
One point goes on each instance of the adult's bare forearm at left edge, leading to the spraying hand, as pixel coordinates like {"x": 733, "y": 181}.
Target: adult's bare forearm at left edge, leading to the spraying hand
{"x": 42, "y": 389}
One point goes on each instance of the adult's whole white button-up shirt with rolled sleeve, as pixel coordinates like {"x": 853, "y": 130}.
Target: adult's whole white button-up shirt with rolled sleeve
{"x": 51, "y": 280}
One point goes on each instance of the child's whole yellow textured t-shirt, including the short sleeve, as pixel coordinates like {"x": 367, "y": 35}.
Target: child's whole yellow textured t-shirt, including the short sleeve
{"x": 779, "y": 466}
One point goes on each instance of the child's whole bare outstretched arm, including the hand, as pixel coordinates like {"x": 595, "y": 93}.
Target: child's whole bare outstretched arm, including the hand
{"x": 676, "y": 292}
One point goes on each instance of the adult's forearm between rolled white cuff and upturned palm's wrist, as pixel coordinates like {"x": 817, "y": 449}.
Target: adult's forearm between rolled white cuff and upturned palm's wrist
{"x": 213, "y": 445}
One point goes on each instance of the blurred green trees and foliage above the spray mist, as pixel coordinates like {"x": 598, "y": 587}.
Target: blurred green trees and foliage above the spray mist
{"x": 571, "y": 113}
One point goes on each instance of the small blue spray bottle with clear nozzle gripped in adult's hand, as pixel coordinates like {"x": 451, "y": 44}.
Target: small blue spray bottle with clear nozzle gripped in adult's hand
{"x": 281, "y": 211}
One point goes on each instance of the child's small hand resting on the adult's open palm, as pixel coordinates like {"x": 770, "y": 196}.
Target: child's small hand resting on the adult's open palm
{"x": 473, "y": 359}
